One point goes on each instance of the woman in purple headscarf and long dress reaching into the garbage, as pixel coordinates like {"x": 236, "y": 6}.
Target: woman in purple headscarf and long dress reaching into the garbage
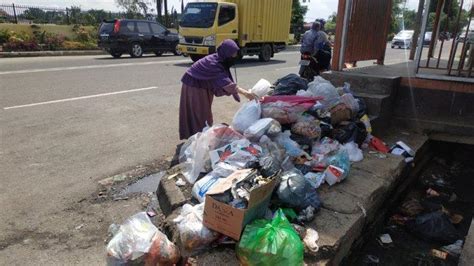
{"x": 205, "y": 79}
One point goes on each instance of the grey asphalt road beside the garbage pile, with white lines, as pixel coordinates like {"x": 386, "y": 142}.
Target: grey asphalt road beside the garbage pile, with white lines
{"x": 67, "y": 122}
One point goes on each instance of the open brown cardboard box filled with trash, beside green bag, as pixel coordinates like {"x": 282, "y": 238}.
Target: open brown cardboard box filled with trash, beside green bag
{"x": 230, "y": 221}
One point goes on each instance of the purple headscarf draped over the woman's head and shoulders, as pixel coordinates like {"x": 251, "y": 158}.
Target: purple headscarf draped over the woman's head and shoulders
{"x": 211, "y": 67}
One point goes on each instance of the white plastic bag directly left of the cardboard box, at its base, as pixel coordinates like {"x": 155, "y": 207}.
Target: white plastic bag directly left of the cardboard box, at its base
{"x": 193, "y": 235}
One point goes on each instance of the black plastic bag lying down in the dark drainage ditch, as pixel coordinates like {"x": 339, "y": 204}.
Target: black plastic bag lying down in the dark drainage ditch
{"x": 434, "y": 226}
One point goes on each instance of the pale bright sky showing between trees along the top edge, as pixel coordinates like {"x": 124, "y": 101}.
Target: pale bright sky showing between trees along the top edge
{"x": 317, "y": 8}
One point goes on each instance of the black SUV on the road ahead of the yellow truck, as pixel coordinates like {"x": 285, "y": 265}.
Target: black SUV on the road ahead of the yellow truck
{"x": 136, "y": 37}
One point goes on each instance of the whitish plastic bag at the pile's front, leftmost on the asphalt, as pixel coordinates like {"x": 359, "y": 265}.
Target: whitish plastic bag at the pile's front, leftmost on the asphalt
{"x": 133, "y": 239}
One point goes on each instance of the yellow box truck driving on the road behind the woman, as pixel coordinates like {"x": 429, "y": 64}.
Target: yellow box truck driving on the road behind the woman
{"x": 259, "y": 27}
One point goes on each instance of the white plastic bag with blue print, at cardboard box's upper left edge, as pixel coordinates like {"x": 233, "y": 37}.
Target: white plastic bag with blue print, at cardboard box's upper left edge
{"x": 203, "y": 185}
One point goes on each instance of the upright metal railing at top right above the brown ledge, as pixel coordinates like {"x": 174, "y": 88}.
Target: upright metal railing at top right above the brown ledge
{"x": 448, "y": 54}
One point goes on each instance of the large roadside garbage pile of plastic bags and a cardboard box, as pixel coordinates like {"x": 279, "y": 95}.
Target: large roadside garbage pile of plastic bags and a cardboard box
{"x": 256, "y": 180}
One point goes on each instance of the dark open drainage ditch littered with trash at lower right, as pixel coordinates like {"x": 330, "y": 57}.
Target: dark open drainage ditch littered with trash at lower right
{"x": 430, "y": 216}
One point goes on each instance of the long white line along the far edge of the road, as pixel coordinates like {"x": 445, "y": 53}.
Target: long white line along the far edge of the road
{"x": 91, "y": 67}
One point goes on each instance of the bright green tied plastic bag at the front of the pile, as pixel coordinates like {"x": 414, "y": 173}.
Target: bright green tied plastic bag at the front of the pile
{"x": 270, "y": 243}
